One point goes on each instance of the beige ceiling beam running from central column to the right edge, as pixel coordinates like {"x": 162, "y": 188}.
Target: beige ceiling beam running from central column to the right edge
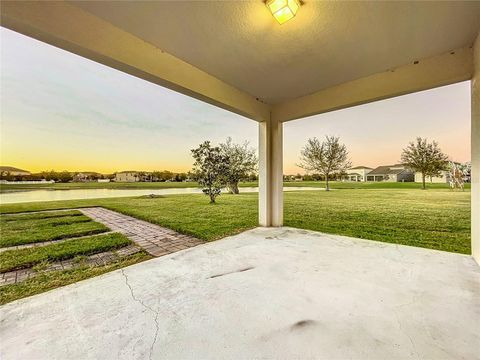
{"x": 424, "y": 74}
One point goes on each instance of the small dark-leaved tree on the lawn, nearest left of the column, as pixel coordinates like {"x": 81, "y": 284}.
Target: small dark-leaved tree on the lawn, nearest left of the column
{"x": 210, "y": 168}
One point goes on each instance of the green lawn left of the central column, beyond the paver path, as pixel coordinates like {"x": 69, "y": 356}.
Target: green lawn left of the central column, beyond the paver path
{"x": 189, "y": 213}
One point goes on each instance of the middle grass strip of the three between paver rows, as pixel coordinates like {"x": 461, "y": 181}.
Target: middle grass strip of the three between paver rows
{"x": 26, "y": 258}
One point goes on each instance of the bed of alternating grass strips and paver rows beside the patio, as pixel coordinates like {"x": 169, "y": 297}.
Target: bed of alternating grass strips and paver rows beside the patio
{"x": 31, "y": 263}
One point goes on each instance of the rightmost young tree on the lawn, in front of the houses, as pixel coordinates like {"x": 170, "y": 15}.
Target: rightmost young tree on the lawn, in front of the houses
{"x": 424, "y": 157}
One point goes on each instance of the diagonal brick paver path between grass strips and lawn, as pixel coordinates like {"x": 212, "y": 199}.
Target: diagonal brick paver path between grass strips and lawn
{"x": 154, "y": 239}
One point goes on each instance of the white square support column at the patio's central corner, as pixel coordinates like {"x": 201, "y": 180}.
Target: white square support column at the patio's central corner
{"x": 270, "y": 173}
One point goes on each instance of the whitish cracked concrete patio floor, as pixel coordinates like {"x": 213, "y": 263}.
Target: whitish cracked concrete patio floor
{"x": 266, "y": 293}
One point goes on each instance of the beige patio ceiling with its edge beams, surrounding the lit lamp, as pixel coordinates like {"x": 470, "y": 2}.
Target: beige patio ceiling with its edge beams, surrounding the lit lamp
{"x": 234, "y": 54}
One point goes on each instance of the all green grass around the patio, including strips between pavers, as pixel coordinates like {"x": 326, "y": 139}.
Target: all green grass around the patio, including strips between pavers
{"x": 436, "y": 218}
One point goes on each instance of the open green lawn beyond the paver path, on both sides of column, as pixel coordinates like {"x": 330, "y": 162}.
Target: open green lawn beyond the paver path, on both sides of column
{"x": 436, "y": 218}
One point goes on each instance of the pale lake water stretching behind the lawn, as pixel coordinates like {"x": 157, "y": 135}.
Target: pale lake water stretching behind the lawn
{"x": 77, "y": 194}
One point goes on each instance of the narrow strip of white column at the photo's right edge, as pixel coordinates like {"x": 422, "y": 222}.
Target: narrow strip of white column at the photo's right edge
{"x": 476, "y": 153}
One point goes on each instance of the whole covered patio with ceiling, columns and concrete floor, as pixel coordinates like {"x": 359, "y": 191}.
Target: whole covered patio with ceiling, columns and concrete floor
{"x": 272, "y": 292}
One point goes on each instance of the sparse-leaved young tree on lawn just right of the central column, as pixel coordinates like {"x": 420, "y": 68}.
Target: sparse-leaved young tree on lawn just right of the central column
{"x": 325, "y": 158}
